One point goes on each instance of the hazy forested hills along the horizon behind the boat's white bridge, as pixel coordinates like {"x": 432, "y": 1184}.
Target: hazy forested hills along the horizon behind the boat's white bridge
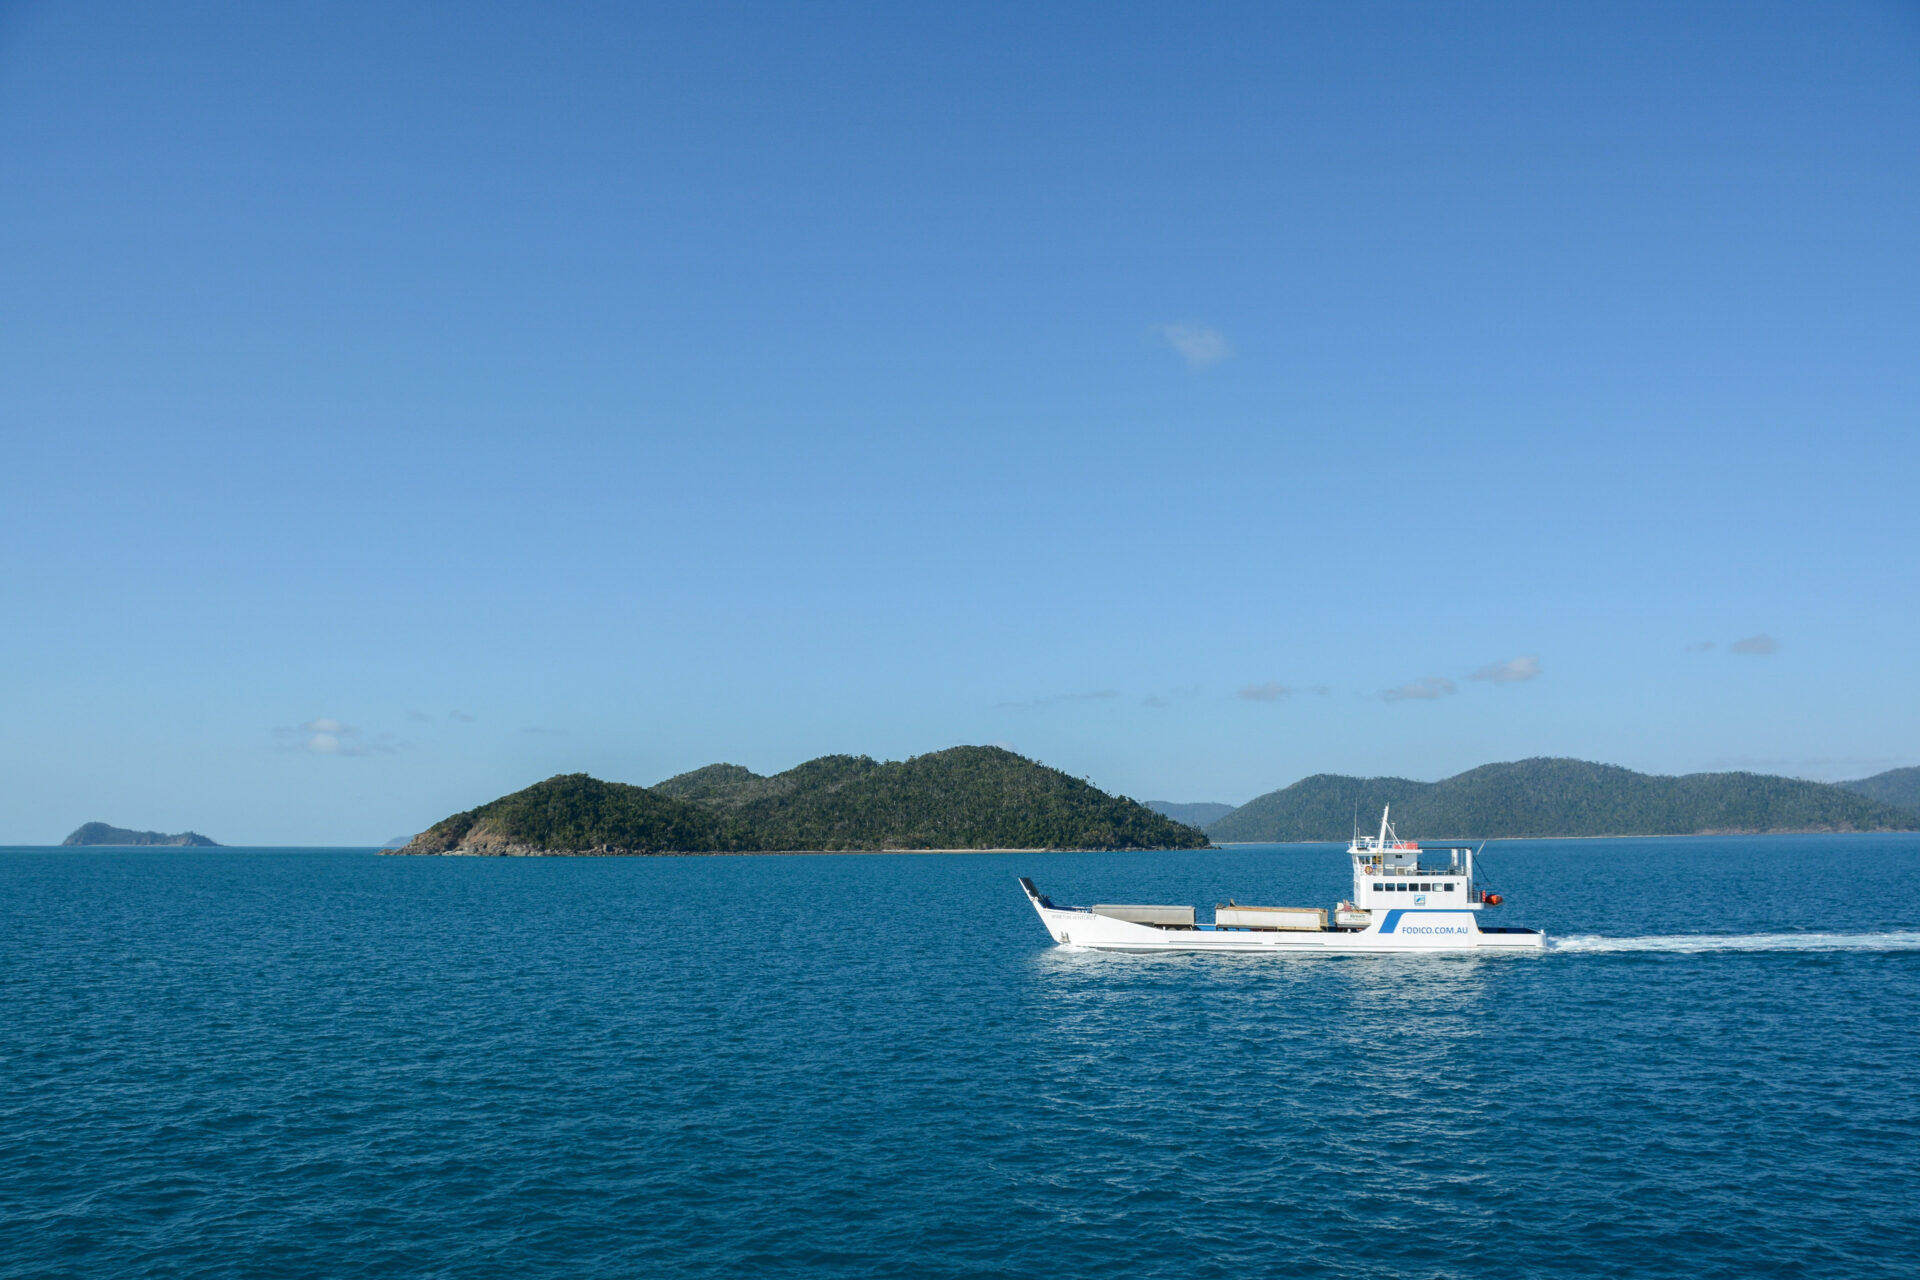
{"x": 1558, "y": 799}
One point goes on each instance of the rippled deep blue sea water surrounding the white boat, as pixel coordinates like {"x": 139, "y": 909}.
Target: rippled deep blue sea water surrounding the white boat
{"x": 333, "y": 1064}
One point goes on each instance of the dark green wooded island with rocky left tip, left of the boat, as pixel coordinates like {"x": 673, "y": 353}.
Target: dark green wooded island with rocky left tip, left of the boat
{"x": 965, "y": 797}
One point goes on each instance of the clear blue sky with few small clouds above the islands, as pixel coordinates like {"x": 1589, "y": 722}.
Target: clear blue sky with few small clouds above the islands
{"x": 404, "y": 404}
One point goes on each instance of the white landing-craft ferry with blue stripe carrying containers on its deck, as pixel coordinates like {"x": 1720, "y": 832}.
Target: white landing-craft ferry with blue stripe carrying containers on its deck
{"x": 1403, "y": 903}
